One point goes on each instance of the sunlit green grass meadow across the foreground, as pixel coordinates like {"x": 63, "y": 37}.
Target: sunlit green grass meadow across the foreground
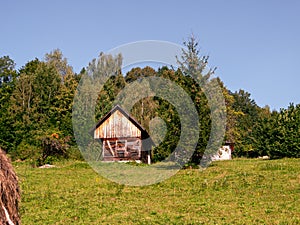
{"x": 228, "y": 192}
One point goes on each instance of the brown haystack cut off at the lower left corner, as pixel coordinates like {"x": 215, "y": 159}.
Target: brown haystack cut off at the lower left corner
{"x": 9, "y": 192}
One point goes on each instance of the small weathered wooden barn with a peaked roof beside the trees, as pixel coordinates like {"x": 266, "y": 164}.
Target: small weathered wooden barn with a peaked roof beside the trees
{"x": 122, "y": 137}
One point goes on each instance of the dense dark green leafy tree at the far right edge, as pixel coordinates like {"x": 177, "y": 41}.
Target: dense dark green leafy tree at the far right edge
{"x": 278, "y": 135}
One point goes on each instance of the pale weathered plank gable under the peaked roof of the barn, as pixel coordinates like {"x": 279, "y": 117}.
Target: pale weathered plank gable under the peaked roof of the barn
{"x": 117, "y": 125}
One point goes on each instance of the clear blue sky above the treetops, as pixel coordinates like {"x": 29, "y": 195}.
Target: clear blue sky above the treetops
{"x": 254, "y": 43}
